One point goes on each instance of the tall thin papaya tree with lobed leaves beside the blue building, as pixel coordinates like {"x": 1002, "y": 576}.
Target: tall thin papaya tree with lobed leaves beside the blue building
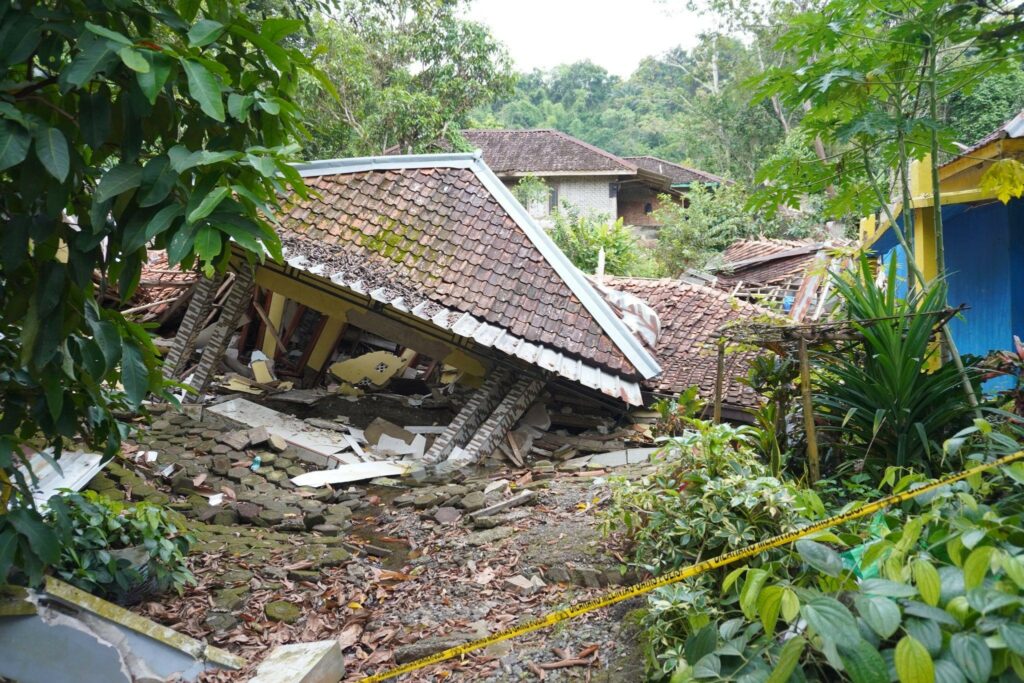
{"x": 873, "y": 87}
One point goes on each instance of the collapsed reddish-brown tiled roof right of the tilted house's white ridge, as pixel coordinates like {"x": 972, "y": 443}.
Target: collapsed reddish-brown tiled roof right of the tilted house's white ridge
{"x": 691, "y": 317}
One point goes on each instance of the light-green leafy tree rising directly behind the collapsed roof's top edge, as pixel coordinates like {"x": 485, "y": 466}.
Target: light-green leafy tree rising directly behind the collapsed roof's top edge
{"x": 409, "y": 73}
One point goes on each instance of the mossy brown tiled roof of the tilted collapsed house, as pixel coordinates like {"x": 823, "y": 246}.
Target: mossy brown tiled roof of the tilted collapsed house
{"x": 437, "y": 235}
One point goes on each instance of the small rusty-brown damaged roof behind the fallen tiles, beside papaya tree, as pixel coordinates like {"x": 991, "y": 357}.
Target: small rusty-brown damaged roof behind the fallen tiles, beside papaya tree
{"x": 766, "y": 262}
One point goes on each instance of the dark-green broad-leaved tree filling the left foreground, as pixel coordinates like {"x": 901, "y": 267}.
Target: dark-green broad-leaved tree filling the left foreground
{"x": 124, "y": 124}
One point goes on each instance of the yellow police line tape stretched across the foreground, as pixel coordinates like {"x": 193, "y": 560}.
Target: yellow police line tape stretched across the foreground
{"x": 628, "y": 592}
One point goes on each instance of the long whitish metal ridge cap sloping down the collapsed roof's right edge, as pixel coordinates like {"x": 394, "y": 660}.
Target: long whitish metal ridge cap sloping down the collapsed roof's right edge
{"x": 573, "y": 277}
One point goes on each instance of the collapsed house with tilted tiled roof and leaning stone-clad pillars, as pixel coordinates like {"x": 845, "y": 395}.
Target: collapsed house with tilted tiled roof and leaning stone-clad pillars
{"x": 433, "y": 258}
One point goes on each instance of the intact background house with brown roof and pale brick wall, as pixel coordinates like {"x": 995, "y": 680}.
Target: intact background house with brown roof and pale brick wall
{"x": 593, "y": 181}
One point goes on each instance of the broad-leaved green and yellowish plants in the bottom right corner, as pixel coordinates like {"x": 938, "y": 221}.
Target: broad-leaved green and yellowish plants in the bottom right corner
{"x": 948, "y": 604}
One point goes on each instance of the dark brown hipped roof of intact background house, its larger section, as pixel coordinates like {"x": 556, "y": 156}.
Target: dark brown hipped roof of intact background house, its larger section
{"x": 544, "y": 152}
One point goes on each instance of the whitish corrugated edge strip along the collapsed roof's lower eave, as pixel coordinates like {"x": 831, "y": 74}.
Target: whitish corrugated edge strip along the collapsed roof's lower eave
{"x": 484, "y": 334}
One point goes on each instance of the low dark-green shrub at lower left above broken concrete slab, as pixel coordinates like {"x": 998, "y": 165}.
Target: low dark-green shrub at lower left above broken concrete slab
{"x": 117, "y": 551}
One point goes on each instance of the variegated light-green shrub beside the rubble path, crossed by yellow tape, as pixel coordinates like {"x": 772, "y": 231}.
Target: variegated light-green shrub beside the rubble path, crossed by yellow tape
{"x": 709, "y": 496}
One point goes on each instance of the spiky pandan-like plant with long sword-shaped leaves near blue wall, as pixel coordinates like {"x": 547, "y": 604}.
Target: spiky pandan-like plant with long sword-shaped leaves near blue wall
{"x": 888, "y": 403}
